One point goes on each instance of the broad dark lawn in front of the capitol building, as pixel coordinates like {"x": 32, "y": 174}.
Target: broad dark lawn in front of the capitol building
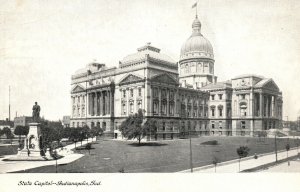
{"x": 163, "y": 156}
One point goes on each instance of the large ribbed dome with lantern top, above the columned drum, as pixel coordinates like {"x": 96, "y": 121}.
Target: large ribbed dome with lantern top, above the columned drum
{"x": 197, "y": 45}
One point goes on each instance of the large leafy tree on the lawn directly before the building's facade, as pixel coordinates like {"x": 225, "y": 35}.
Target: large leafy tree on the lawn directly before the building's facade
{"x": 132, "y": 127}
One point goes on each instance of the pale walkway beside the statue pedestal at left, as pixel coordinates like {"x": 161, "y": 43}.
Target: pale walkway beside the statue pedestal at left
{"x": 69, "y": 156}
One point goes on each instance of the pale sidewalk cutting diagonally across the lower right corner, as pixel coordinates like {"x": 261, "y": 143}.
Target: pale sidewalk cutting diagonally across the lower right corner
{"x": 246, "y": 163}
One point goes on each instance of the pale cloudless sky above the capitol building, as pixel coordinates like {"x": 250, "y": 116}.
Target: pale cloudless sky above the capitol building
{"x": 42, "y": 43}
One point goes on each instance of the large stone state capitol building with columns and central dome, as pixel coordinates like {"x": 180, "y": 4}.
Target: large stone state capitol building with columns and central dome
{"x": 180, "y": 96}
